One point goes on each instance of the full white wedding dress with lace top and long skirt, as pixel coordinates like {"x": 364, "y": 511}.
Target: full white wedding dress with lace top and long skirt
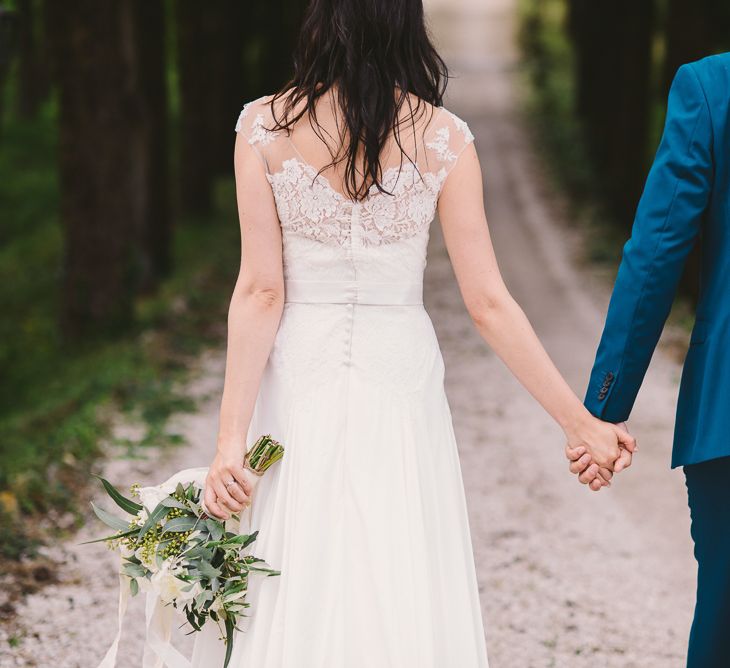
{"x": 365, "y": 516}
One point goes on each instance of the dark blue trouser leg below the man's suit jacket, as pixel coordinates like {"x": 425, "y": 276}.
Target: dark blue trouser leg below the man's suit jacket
{"x": 708, "y": 488}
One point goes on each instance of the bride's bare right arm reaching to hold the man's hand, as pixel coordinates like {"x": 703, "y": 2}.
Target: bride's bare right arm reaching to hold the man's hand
{"x": 501, "y": 321}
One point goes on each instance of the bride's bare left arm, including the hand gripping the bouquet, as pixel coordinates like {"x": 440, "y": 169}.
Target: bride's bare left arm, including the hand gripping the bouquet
{"x": 253, "y": 319}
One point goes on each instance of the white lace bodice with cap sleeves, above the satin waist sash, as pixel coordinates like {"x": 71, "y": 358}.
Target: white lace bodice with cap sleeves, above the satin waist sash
{"x": 329, "y": 237}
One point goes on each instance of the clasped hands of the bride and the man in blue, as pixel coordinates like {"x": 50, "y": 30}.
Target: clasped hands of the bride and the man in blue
{"x": 596, "y": 450}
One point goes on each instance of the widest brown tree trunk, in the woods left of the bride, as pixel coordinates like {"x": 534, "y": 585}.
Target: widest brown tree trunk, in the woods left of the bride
{"x": 103, "y": 164}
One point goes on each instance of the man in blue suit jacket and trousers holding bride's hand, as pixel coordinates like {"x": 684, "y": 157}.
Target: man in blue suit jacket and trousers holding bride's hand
{"x": 686, "y": 197}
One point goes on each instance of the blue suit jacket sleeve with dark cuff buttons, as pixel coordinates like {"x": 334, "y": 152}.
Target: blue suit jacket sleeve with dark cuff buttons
{"x": 668, "y": 218}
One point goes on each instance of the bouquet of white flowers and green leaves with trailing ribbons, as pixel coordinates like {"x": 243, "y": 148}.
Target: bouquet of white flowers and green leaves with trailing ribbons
{"x": 182, "y": 558}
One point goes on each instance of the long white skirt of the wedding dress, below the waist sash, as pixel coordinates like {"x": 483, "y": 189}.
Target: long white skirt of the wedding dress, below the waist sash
{"x": 365, "y": 516}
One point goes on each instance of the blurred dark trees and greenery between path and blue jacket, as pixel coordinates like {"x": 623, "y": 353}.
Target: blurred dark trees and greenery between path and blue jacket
{"x": 600, "y": 73}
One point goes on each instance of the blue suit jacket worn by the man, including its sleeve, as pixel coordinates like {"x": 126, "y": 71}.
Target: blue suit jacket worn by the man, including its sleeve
{"x": 686, "y": 197}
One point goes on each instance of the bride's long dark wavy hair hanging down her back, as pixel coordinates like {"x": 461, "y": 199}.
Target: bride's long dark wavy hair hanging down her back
{"x": 376, "y": 53}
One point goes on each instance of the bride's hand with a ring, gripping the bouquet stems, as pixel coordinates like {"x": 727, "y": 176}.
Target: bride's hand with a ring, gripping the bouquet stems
{"x": 227, "y": 488}
